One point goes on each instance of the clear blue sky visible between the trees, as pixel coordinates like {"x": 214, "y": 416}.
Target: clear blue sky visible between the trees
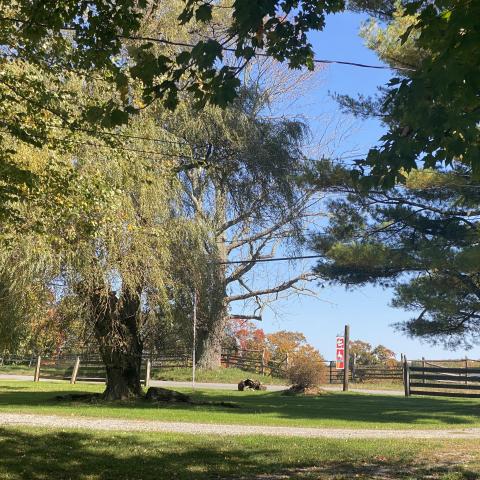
{"x": 366, "y": 310}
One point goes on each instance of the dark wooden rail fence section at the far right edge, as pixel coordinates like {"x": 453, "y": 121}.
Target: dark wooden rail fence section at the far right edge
{"x": 449, "y": 378}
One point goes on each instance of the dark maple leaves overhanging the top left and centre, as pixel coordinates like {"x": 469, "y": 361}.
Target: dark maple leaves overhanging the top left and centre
{"x": 107, "y": 37}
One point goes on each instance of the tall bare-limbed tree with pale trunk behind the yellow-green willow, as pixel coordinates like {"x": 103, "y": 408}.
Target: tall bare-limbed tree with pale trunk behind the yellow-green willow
{"x": 241, "y": 186}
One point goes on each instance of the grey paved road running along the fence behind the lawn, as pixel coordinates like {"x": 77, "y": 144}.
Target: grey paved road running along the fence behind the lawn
{"x": 218, "y": 386}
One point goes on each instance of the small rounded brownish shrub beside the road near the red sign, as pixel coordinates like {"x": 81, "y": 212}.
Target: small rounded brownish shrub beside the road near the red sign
{"x": 307, "y": 368}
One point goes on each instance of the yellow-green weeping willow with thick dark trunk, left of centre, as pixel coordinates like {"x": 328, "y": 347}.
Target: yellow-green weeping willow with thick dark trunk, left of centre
{"x": 114, "y": 244}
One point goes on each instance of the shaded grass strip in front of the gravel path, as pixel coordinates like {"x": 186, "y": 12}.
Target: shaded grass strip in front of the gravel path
{"x": 32, "y": 454}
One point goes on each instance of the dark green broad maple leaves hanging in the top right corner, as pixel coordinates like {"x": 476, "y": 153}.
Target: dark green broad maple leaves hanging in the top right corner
{"x": 434, "y": 113}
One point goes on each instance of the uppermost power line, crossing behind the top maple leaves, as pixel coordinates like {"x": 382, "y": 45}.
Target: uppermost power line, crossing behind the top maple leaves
{"x": 226, "y": 49}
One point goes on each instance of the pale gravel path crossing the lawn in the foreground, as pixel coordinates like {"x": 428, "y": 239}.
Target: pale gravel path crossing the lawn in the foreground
{"x": 58, "y": 422}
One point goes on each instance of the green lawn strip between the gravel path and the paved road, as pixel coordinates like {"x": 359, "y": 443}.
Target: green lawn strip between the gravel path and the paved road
{"x": 336, "y": 410}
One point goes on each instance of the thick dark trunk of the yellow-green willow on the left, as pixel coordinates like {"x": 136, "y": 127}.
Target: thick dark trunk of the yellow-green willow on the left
{"x": 117, "y": 331}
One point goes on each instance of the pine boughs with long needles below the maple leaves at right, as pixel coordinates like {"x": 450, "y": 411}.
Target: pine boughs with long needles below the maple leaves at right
{"x": 420, "y": 238}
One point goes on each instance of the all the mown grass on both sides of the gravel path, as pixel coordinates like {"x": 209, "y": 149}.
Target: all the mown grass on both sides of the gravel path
{"x": 76, "y": 454}
